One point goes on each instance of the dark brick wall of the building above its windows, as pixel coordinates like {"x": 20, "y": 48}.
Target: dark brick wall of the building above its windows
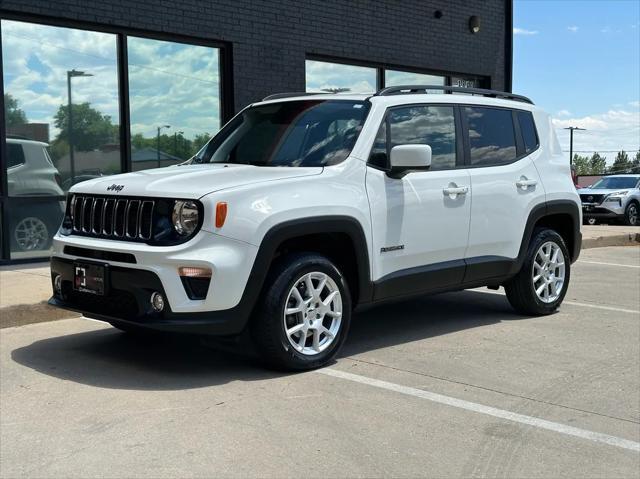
{"x": 270, "y": 39}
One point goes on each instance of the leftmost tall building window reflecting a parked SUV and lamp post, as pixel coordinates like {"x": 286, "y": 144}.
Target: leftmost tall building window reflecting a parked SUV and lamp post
{"x": 55, "y": 139}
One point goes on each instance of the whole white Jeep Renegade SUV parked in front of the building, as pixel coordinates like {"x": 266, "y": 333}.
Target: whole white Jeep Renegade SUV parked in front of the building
{"x": 305, "y": 207}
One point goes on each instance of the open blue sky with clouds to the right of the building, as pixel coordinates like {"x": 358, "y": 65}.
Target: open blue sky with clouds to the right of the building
{"x": 580, "y": 61}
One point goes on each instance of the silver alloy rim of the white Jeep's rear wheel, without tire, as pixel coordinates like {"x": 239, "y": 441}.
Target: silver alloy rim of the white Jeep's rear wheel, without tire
{"x": 548, "y": 272}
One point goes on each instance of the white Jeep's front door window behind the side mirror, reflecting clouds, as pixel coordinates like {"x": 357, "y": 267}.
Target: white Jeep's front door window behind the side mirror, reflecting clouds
{"x": 426, "y": 125}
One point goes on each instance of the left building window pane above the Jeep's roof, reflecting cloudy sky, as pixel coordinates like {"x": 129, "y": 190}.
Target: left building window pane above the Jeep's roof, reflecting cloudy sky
{"x": 338, "y": 77}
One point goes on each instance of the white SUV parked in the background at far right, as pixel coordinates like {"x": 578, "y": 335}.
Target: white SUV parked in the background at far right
{"x": 615, "y": 197}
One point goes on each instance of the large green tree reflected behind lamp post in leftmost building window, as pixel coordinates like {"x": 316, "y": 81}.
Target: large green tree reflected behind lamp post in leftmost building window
{"x": 91, "y": 129}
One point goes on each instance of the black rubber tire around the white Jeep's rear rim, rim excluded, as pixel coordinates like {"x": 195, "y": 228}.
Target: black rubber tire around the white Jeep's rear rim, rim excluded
{"x": 520, "y": 289}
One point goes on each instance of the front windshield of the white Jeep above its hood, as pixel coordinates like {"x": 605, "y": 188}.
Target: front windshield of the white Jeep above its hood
{"x": 292, "y": 133}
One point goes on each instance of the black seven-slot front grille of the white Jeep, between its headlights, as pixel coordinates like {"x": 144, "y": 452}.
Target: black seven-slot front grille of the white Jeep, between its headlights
{"x": 112, "y": 217}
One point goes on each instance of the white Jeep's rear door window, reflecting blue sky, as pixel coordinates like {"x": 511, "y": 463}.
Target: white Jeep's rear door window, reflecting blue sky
{"x": 491, "y": 136}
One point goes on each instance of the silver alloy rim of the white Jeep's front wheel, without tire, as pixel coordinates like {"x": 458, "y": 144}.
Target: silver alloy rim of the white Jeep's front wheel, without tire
{"x": 313, "y": 313}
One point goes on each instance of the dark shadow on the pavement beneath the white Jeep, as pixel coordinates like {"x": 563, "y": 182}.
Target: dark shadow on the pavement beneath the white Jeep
{"x": 107, "y": 358}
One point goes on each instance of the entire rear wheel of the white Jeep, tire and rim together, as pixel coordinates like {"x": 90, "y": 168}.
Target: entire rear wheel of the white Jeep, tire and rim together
{"x": 541, "y": 284}
